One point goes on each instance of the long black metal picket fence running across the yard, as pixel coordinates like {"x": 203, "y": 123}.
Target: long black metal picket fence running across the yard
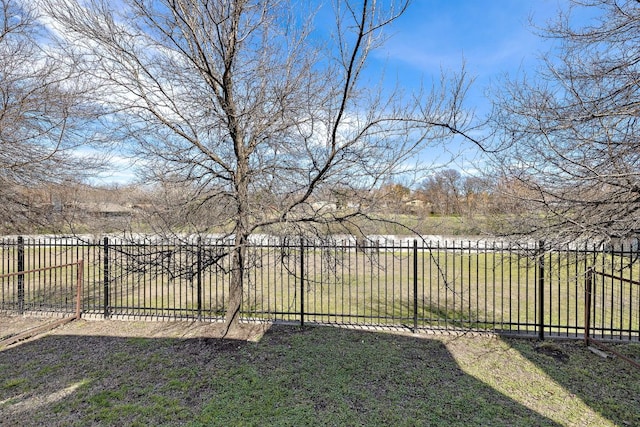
{"x": 521, "y": 289}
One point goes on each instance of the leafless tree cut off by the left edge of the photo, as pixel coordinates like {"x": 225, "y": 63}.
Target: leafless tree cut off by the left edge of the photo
{"x": 45, "y": 116}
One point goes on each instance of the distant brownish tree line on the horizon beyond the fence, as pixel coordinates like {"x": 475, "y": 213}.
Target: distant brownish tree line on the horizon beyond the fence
{"x": 75, "y": 206}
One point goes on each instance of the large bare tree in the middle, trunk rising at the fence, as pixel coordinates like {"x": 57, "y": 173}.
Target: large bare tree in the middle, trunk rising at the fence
{"x": 253, "y": 112}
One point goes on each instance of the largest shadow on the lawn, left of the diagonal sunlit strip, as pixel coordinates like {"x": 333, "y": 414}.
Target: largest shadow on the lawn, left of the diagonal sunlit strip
{"x": 315, "y": 376}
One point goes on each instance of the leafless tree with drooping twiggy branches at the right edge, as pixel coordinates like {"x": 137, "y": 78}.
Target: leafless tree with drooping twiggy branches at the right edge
{"x": 570, "y": 132}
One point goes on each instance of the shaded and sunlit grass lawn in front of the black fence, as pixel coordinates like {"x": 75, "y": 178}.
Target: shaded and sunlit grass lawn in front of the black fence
{"x": 137, "y": 373}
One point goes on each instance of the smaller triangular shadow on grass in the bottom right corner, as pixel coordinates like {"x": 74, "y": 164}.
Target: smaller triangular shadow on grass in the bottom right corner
{"x": 609, "y": 386}
